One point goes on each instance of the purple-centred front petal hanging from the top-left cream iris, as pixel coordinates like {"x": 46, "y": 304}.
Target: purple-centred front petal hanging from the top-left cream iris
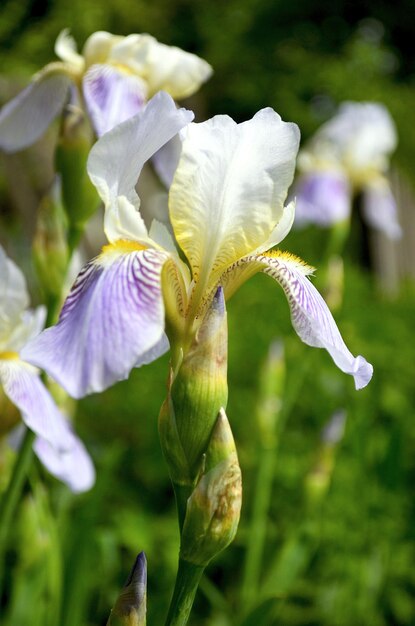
{"x": 112, "y": 96}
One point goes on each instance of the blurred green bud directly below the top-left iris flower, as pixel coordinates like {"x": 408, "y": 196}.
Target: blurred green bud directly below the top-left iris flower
{"x": 80, "y": 198}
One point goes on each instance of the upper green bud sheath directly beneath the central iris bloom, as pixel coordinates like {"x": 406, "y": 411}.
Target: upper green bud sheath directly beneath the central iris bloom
{"x": 197, "y": 392}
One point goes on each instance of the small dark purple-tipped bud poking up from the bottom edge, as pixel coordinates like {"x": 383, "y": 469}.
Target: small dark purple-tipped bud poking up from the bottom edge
{"x": 130, "y": 607}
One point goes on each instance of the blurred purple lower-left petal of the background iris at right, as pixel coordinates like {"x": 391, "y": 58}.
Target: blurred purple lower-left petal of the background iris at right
{"x": 322, "y": 198}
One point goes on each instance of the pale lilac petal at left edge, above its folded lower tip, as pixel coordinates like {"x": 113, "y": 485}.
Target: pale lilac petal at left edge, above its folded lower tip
{"x": 22, "y": 384}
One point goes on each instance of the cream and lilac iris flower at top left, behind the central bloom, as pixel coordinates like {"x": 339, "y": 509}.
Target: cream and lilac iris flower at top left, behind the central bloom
{"x": 115, "y": 76}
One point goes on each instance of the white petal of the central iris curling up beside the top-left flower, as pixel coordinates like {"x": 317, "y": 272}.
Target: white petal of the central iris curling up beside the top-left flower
{"x": 117, "y": 159}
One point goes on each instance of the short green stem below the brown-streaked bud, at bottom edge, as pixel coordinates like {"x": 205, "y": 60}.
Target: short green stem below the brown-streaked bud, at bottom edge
{"x": 187, "y": 582}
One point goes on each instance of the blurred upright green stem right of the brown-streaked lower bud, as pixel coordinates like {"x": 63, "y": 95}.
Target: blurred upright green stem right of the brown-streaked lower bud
{"x": 258, "y": 526}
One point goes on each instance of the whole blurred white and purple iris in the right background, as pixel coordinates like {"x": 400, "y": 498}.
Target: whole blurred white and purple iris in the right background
{"x": 349, "y": 154}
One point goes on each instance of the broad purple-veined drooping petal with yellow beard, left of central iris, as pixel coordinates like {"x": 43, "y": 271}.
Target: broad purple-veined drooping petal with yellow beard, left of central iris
{"x": 113, "y": 316}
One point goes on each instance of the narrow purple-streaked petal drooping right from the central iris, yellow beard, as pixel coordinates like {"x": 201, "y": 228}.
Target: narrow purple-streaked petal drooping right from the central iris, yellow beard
{"x": 311, "y": 316}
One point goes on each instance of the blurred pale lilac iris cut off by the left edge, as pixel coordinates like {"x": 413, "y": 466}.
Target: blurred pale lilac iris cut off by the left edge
{"x": 62, "y": 453}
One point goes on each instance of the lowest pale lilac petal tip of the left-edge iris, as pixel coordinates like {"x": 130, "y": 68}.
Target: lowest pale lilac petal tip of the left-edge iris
{"x": 73, "y": 465}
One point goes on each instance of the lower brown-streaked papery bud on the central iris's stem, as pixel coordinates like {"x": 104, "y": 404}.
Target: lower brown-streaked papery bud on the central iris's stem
{"x": 213, "y": 509}
